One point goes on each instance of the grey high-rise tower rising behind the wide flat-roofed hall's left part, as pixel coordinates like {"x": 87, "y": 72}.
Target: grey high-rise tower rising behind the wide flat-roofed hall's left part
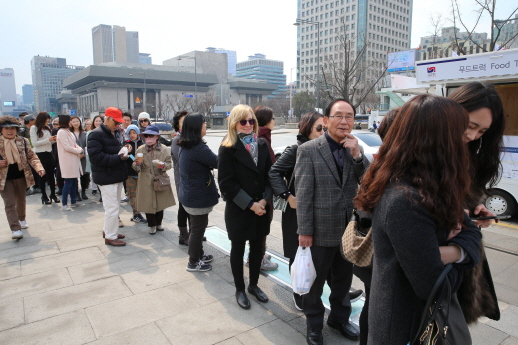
{"x": 114, "y": 43}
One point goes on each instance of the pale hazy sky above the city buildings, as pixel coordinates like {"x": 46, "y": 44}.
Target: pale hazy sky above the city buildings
{"x": 62, "y": 28}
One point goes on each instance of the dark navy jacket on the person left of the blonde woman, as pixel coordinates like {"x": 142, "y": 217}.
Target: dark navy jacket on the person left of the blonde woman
{"x": 197, "y": 185}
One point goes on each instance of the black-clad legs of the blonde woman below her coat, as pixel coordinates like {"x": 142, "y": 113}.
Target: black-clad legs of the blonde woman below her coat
{"x": 237, "y": 253}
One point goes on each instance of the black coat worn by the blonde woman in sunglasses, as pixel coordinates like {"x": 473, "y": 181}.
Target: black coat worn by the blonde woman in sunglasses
{"x": 240, "y": 182}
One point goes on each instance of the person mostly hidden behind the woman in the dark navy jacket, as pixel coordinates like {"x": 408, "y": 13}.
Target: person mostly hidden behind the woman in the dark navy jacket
{"x": 182, "y": 215}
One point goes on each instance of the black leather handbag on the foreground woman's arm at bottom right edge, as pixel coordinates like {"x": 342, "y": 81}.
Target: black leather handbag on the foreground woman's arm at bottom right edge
{"x": 442, "y": 322}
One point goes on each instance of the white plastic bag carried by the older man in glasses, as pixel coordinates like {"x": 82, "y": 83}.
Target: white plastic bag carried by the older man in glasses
{"x": 303, "y": 272}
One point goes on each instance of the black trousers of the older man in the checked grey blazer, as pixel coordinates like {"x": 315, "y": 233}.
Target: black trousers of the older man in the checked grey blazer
{"x": 338, "y": 272}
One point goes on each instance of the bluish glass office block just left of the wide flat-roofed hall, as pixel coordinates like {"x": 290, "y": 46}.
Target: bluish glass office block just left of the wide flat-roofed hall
{"x": 48, "y": 74}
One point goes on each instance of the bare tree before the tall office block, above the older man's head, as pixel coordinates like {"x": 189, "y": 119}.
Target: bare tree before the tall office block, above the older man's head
{"x": 350, "y": 72}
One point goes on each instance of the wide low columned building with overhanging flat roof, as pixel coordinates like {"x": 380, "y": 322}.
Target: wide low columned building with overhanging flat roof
{"x": 160, "y": 90}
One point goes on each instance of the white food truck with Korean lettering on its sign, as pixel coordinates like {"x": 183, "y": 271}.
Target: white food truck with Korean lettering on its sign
{"x": 443, "y": 76}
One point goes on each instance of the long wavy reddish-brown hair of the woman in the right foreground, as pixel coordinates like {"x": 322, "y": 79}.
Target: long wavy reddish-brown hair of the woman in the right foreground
{"x": 424, "y": 147}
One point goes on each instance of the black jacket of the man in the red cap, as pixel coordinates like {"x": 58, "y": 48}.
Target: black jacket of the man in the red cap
{"x": 103, "y": 149}
